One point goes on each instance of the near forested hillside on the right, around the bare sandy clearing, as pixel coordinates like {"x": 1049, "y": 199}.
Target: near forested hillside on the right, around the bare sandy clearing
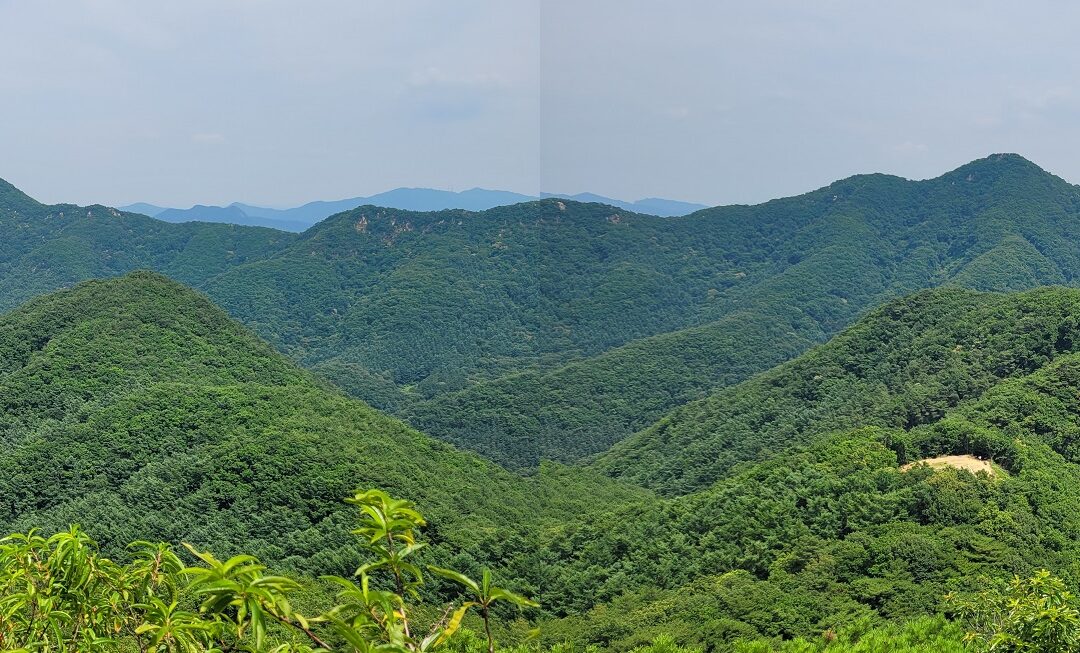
{"x": 800, "y": 512}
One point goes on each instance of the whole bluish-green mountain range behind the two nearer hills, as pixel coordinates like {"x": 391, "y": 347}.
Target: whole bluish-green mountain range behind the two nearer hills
{"x": 555, "y": 330}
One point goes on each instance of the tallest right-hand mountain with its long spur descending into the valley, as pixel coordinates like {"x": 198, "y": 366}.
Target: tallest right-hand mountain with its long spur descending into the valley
{"x": 807, "y": 267}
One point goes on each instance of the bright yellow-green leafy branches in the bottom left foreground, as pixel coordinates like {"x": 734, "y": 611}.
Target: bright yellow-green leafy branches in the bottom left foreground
{"x": 61, "y": 594}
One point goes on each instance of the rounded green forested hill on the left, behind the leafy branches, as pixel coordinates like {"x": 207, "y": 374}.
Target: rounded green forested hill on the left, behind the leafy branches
{"x": 137, "y": 407}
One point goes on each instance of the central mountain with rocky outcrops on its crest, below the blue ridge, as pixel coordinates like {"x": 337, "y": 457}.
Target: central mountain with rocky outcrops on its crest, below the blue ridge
{"x": 434, "y": 301}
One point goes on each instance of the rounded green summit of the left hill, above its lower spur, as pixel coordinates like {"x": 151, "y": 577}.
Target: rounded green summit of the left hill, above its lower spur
{"x": 143, "y": 324}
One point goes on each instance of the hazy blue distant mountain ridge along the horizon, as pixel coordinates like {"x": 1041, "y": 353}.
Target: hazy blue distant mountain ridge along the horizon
{"x": 300, "y": 219}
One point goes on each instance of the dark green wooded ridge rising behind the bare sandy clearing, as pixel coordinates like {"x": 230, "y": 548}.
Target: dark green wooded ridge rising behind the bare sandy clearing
{"x": 904, "y": 365}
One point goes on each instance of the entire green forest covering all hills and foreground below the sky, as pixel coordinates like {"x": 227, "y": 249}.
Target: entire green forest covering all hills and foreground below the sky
{"x": 826, "y": 424}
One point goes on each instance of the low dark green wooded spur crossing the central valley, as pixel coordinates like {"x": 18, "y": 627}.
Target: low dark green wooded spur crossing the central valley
{"x": 521, "y": 419}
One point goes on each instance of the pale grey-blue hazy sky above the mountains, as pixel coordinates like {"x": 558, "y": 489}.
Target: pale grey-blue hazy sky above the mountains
{"x": 283, "y": 102}
